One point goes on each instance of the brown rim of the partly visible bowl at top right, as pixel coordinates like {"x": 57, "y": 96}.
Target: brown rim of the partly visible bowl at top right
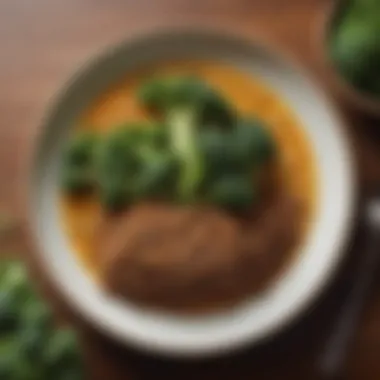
{"x": 351, "y": 95}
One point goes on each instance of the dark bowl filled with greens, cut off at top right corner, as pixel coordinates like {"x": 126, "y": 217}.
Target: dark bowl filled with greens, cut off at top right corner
{"x": 351, "y": 45}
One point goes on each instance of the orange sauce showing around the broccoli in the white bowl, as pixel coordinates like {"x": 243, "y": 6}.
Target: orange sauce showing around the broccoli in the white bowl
{"x": 249, "y": 95}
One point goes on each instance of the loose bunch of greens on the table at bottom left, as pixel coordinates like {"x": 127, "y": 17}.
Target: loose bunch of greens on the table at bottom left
{"x": 31, "y": 347}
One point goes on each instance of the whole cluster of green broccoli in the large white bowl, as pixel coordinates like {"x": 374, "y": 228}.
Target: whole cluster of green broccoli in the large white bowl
{"x": 193, "y": 150}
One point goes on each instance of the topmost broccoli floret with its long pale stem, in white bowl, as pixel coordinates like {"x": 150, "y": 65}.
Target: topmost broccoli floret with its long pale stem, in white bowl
{"x": 186, "y": 103}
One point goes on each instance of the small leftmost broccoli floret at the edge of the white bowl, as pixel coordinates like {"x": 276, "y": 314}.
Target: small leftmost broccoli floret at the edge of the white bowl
{"x": 78, "y": 163}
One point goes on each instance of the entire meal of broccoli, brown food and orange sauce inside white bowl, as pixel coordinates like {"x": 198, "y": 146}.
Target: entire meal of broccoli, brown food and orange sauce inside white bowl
{"x": 188, "y": 185}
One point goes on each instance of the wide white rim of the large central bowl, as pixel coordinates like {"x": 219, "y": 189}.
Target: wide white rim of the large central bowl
{"x": 258, "y": 317}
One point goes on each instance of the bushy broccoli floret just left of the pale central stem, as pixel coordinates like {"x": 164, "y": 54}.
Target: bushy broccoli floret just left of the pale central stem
{"x": 134, "y": 162}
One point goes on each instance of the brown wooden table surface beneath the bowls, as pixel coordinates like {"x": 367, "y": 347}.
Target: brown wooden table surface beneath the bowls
{"x": 43, "y": 40}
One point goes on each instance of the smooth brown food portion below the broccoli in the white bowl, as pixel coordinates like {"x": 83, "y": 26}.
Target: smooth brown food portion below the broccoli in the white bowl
{"x": 193, "y": 256}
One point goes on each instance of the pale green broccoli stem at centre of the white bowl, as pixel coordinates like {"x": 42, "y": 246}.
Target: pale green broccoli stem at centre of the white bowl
{"x": 182, "y": 130}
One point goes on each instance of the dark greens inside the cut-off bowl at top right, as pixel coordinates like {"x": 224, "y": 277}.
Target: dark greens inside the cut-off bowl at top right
{"x": 354, "y": 44}
